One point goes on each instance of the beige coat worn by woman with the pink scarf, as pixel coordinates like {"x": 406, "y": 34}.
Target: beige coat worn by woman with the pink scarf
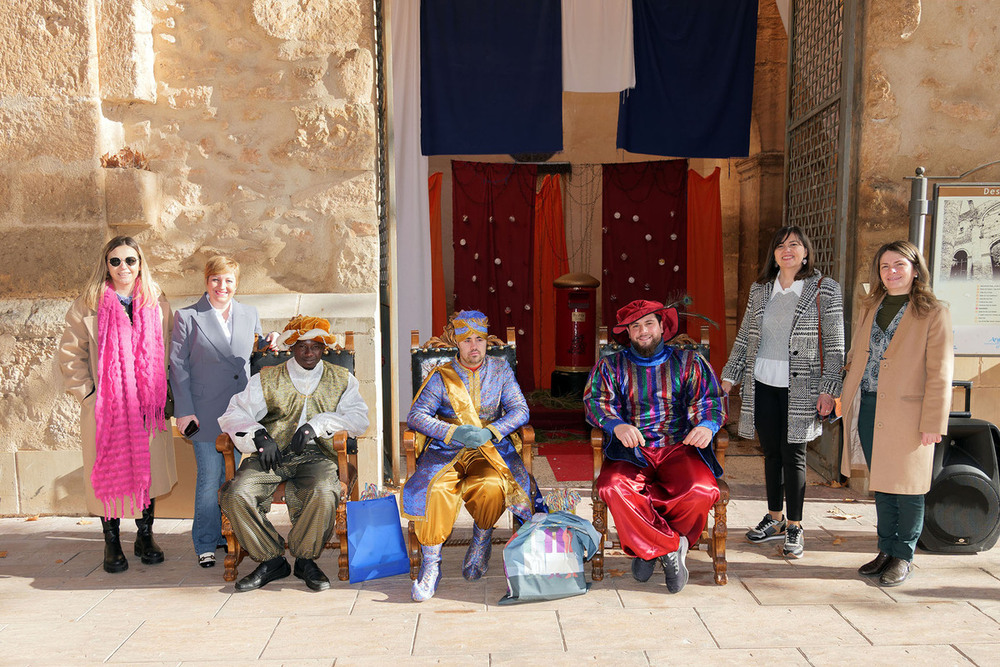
{"x": 79, "y": 365}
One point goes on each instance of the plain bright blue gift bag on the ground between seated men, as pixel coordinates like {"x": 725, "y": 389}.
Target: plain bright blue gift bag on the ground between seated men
{"x": 375, "y": 546}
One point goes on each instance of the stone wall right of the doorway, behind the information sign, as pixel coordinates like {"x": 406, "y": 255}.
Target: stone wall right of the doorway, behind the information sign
{"x": 926, "y": 99}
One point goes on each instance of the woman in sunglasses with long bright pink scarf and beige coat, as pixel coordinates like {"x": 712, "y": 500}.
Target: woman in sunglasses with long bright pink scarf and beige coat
{"x": 112, "y": 356}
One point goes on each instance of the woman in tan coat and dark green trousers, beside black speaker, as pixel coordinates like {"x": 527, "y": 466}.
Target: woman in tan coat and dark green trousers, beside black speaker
{"x": 896, "y": 397}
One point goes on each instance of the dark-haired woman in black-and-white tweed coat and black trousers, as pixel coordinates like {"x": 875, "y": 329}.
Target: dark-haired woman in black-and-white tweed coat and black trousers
{"x": 783, "y": 343}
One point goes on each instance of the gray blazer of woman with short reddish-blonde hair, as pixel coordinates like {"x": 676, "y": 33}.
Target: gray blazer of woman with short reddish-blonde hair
{"x": 206, "y": 370}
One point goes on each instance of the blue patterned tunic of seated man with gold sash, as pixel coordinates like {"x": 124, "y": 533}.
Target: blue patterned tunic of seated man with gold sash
{"x": 502, "y": 409}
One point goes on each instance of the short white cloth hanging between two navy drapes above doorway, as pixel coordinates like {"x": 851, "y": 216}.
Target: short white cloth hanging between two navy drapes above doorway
{"x": 597, "y": 46}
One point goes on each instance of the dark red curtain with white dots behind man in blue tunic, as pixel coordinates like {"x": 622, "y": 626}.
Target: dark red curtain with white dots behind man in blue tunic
{"x": 493, "y": 215}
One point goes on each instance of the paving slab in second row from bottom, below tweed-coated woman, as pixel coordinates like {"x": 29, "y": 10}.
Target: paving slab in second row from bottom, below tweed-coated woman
{"x": 779, "y": 626}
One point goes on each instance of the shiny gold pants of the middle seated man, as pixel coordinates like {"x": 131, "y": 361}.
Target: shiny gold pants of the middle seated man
{"x": 470, "y": 478}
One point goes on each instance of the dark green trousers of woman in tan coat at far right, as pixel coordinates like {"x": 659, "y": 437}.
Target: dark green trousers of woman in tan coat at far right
{"x": 900, "y": 517}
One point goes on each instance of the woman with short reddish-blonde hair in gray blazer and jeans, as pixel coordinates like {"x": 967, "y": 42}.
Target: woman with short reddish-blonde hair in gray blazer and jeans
{"x": 209, "y": 363}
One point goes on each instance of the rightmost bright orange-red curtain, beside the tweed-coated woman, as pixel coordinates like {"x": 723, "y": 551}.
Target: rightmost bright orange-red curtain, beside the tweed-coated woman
{"x": 704, "y": 247}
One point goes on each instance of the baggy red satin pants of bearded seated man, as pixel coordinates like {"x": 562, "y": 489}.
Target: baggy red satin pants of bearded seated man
{"x": 653, "y": 506}
